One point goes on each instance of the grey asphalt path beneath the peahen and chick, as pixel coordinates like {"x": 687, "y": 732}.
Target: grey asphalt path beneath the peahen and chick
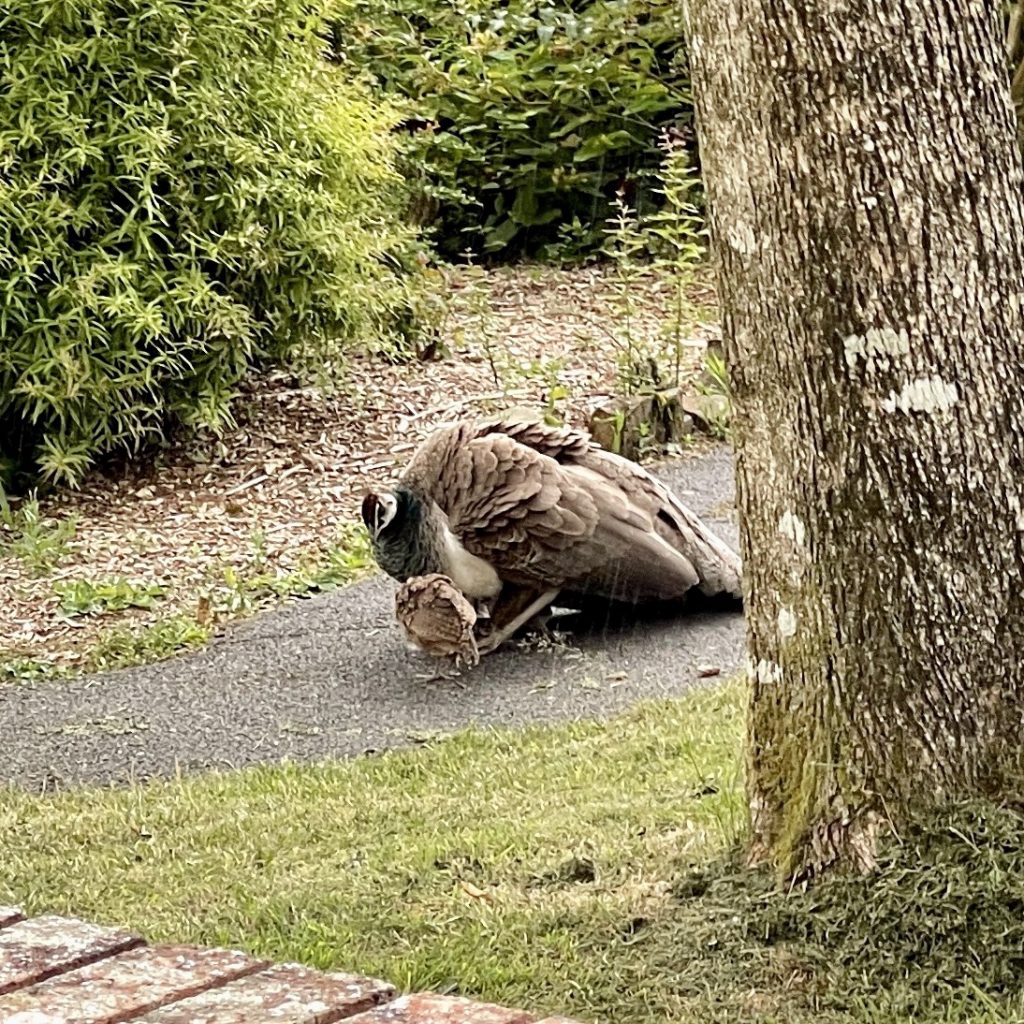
{"x": 331, "y": 677}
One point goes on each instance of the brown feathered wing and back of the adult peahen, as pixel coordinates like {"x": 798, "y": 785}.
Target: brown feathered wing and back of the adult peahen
{"x": 531, "y": 501}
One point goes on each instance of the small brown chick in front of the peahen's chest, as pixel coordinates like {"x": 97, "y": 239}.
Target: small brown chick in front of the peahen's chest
{"x": 438, "y": 619}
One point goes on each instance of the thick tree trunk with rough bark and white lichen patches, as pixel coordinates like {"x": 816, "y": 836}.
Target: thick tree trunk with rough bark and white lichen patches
{"x": 865, "y": 190}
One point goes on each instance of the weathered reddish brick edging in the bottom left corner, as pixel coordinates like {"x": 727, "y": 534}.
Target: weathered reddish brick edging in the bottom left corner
{"x": 56, "y": 970}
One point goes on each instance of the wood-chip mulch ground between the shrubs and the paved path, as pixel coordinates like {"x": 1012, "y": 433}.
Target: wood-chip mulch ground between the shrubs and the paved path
{"x": 209, "y": 529}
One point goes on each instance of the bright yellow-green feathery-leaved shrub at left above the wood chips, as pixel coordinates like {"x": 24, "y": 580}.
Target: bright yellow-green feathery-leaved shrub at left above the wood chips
{"x": 187, "y": 188}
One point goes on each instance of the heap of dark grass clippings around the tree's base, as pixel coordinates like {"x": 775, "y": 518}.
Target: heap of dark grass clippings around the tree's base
{"x": 935, "y": 933}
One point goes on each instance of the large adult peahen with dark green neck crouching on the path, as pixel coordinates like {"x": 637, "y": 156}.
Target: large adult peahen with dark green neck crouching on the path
{"x": 511, "y": 508}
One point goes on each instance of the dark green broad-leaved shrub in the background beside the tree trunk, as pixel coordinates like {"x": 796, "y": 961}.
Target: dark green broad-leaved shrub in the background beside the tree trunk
{"x": 526, "y": 116}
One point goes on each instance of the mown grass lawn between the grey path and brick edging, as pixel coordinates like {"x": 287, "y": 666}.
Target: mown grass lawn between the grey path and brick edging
{"x": 585, "y": 870}
